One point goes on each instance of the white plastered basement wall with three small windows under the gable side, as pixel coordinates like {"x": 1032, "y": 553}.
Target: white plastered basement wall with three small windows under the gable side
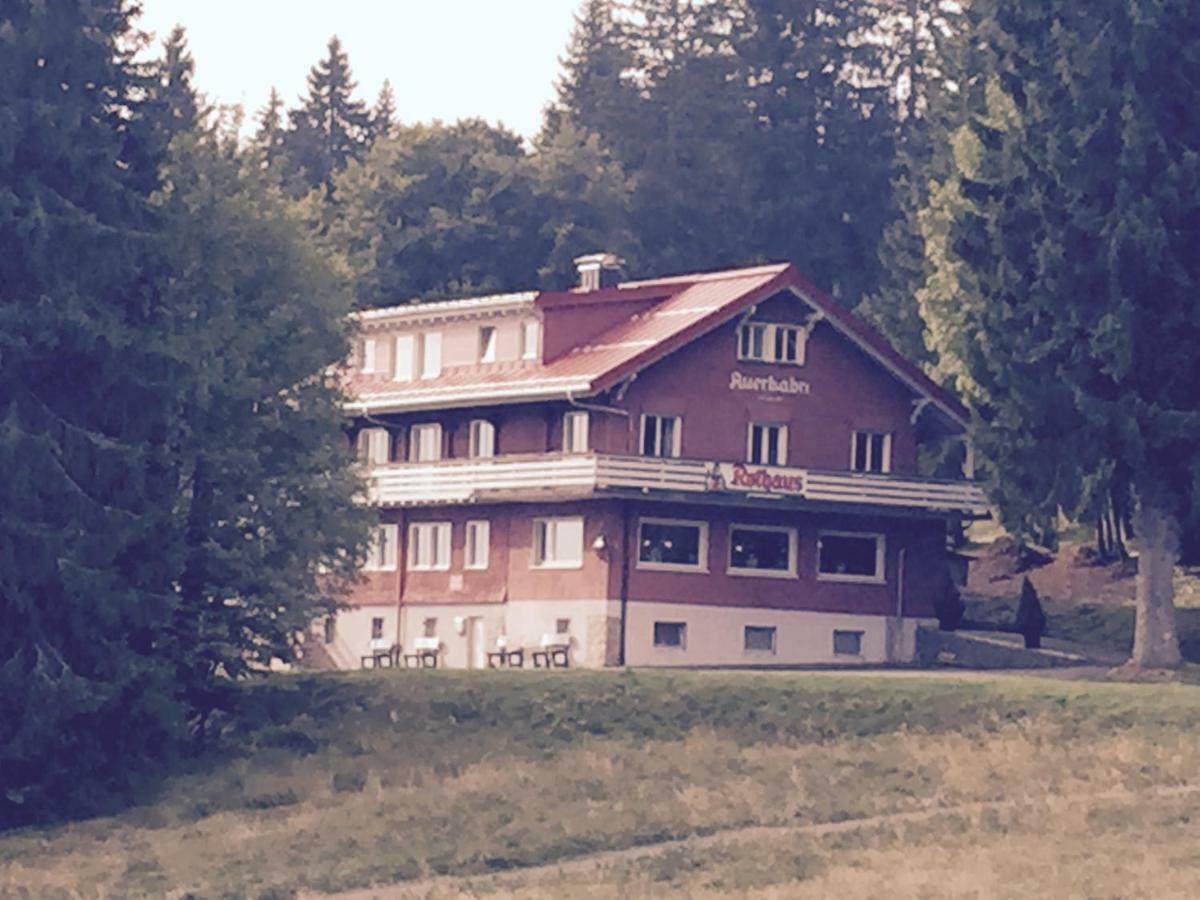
{"x": 716, "y": 637}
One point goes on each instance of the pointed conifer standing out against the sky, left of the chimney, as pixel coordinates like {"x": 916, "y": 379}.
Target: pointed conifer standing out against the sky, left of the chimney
{"x": 331, "y": 128}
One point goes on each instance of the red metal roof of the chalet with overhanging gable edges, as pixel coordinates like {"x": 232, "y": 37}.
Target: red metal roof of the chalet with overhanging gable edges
{"x": 687, "y": 308}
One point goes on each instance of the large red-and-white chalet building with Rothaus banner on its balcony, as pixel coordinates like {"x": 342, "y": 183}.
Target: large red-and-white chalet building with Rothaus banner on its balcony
{"x": 713, "y": 470}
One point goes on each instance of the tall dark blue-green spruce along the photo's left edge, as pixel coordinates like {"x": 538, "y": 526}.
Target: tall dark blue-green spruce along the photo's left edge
{"x": 87, "y": 557}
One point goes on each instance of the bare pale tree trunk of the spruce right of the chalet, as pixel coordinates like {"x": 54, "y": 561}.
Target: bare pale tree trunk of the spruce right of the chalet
{"x": 1156, "y": 640}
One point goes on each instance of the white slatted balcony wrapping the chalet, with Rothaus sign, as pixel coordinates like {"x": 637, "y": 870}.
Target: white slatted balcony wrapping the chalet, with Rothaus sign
{"x": 563, "y": 477}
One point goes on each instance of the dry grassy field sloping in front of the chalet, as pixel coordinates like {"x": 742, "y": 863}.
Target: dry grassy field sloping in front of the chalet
{"x": 644, "y": 784}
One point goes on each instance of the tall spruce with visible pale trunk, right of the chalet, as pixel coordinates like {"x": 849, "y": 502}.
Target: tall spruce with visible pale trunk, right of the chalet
{"x": 1065, "y": 287}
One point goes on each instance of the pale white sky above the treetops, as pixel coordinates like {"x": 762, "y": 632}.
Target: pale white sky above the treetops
{"x": 447, "y": 59}
